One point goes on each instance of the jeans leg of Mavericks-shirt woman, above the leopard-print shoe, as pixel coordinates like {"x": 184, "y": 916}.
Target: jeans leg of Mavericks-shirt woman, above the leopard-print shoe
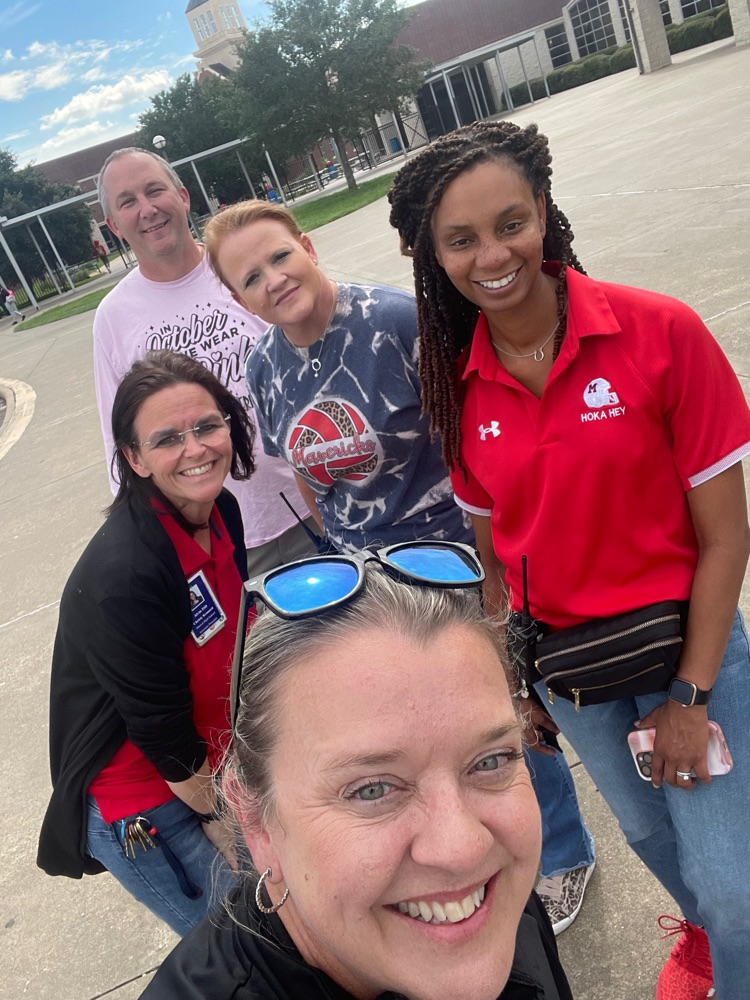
{"x": 566, "y": 841}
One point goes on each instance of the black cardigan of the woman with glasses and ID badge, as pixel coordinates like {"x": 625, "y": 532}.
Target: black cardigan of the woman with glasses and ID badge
{"x": 118, "y": 655}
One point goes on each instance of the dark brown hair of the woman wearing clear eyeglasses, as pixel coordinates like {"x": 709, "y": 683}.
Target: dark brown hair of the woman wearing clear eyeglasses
{"x": 161, "y": 370}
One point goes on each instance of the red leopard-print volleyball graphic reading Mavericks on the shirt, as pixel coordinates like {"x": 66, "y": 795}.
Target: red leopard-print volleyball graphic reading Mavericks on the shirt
{"x": 330, "y": 441}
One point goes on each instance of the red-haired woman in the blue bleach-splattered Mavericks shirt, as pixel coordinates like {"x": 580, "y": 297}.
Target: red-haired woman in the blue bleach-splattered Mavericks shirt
{"x": 338, "y": 395}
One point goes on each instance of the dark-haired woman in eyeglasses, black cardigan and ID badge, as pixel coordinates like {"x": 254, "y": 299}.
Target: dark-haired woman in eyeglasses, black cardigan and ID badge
{"x": 141, "y": 664}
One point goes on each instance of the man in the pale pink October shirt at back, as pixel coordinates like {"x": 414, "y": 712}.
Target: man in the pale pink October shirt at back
{"x": 172, "y": 300}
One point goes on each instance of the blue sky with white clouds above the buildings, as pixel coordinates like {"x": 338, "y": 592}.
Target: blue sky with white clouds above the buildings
{"x": 77, "y": 72}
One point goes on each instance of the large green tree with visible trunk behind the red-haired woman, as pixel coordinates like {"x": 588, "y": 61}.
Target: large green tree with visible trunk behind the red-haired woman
{"x": 322, "y": 68}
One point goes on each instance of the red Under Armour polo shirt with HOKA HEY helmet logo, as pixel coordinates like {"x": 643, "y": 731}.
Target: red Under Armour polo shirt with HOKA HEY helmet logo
{"x": 589, "y": 482}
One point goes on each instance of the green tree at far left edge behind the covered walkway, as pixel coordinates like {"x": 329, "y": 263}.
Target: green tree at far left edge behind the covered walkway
{"x": 24, "y": 190}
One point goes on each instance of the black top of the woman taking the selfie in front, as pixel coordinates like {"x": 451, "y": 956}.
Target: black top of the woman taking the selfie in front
{"x": 222, "y": 960}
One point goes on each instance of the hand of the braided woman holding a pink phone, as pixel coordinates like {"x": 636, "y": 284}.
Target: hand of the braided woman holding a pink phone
{"x": 680, "y": 744}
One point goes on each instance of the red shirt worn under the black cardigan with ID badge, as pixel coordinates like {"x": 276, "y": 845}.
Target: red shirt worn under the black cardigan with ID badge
{"x": 130, "y": 783}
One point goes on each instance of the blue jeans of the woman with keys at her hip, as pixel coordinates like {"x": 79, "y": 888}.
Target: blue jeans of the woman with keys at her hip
{"x": 149, "y": 878}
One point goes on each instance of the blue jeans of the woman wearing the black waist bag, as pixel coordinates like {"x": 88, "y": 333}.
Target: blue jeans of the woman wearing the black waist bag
{"x": 696, "y": 843}
